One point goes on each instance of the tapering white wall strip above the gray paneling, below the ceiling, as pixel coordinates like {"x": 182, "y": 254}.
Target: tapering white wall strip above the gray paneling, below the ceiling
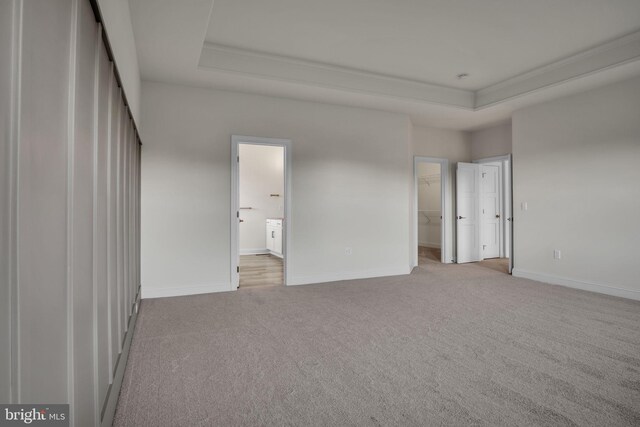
{"x": 118, "y": 25}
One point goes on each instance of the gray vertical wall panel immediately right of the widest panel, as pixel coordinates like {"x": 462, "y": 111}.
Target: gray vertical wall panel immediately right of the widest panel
{"x": 82, "y": 177}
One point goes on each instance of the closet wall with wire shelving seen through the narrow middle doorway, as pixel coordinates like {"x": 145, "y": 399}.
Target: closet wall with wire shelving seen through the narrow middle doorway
{"x": 429, "y": 205}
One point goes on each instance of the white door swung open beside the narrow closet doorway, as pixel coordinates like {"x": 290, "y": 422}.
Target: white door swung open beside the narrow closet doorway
{"x": 468, "y": 212}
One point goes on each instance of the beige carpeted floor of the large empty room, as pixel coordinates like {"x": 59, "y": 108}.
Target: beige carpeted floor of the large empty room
{"x": 448, "y": 345}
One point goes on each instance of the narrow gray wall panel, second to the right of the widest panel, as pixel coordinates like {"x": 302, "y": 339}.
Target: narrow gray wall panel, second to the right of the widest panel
{"x": 101, "y": 206}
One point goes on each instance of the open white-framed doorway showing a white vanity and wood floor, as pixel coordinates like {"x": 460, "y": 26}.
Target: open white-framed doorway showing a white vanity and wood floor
{"x": 260, "y": 211}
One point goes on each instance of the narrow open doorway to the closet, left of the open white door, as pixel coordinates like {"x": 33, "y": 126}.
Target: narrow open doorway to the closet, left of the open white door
{"x": 431, "y": 176}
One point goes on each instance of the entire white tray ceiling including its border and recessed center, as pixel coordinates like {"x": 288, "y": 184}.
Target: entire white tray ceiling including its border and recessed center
{"x": 401, "y": 56}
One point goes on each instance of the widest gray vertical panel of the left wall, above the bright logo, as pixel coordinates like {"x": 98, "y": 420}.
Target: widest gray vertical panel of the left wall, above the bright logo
{"x": 42, "y": 203}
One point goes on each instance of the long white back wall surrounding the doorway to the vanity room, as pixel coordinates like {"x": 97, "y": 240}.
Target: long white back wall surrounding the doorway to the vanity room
{"x": 351, "y": 186}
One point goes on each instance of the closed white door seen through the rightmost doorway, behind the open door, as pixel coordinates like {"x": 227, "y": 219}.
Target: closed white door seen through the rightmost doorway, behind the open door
{"x": 491, "y": 228}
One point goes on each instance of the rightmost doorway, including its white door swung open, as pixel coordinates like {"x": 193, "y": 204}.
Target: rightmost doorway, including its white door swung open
{"x": 484, "y": 213}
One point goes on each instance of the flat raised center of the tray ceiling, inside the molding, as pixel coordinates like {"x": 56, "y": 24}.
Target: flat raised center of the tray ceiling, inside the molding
{"x": 431, "y": 41}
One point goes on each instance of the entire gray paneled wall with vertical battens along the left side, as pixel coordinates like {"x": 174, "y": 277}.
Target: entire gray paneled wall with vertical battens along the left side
{"x": 60, "y": 288}
